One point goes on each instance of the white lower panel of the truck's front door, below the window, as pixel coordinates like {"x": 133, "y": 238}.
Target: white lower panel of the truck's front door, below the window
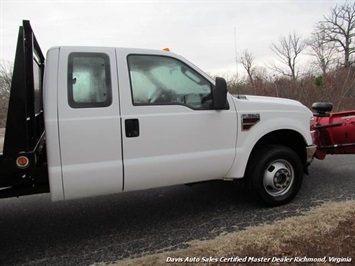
{"x": 179, "y": 148}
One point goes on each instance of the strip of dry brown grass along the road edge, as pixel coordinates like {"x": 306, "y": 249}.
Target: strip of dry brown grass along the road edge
{"x": 326, "y": 231}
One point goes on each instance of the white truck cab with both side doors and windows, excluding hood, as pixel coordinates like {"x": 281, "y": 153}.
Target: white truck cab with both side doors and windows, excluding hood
{"x": 128, "y": 119}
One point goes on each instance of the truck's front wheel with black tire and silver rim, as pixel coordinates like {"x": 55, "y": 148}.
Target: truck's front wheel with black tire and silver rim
{"x": 274, "y": 175}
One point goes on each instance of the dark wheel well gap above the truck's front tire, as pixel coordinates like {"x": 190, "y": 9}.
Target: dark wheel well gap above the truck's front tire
{"x": 286, "y": 137}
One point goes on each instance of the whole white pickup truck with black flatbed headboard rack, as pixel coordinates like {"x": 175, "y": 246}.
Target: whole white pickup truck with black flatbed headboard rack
{"x": 90, "y": 121}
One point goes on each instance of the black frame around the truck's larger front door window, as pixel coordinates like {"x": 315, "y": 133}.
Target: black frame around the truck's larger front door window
{"x": 169, "y": 103}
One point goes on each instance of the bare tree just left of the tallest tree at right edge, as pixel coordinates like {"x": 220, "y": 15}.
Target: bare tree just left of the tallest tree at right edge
{"x": 324, "y": 52}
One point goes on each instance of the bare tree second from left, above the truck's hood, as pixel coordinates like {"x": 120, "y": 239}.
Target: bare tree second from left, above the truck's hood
{"x": 288, "y": 50}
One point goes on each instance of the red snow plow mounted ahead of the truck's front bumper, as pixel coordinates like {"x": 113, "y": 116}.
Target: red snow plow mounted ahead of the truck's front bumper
{"x": 334, "y": 132}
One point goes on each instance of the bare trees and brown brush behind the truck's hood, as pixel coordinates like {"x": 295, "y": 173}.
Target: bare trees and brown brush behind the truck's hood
{"x": 329, "y": 77}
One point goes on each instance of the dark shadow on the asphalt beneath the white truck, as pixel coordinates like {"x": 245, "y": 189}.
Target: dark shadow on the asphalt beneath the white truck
{"x": 33, "y": 227}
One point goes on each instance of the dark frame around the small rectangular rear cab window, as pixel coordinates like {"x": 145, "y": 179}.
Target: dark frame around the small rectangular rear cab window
{"x": 72, "y": 103}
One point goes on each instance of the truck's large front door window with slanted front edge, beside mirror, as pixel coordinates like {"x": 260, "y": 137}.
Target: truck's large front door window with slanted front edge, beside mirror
{"x": 161, "y": 80}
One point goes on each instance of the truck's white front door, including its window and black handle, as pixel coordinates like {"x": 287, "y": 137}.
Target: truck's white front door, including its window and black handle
{"x": 171, "y": 134}
